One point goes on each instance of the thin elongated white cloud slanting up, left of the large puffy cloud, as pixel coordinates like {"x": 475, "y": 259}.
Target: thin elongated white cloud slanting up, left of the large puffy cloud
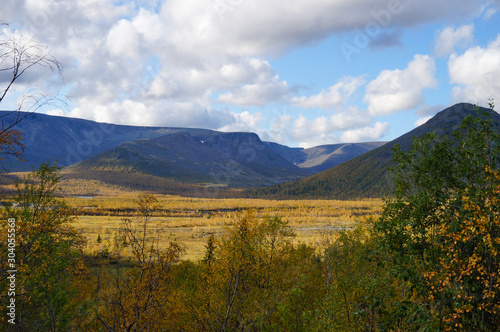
{"x": 335, "y": 96}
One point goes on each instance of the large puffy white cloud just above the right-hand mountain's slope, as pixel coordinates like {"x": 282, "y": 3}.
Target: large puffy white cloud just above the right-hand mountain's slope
{"x": 396, "y": 90}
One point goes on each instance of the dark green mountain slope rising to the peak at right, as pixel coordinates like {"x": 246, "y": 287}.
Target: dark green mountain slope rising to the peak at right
{"x": 367, "y": 175}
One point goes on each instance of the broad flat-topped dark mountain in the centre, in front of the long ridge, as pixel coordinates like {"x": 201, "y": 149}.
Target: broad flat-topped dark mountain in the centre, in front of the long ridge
{"x": 226, "y": 159}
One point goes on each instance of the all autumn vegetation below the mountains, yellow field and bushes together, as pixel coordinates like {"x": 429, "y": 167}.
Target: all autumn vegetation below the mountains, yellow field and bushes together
{"x": 426, "y": 259}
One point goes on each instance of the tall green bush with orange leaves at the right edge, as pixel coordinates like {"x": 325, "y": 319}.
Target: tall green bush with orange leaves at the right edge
{"x": 442, "y": 229}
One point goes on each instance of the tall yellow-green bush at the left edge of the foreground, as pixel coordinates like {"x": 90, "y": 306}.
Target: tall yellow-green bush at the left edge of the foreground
{"x": 47, "y": 254}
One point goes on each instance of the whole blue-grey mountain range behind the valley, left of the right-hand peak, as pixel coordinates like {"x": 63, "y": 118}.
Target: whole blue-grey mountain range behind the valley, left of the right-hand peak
{"x": 184, "y": 155}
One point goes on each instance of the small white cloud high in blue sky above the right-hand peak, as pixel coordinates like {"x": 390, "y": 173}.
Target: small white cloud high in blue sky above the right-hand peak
{"x": 449, "y": 39}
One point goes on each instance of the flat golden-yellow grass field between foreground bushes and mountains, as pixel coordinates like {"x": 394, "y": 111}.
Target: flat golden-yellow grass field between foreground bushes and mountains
{"x": 190, "y": 221}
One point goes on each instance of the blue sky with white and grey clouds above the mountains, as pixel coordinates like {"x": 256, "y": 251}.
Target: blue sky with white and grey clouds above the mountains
{"x": 296, "y": 72}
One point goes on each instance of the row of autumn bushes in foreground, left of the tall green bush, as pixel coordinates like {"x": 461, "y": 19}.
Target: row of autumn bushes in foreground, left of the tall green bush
{"x": 254, "y": 277}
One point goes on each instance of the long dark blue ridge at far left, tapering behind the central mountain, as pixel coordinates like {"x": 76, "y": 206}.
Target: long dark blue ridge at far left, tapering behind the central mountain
{"x": 72, "y": 140}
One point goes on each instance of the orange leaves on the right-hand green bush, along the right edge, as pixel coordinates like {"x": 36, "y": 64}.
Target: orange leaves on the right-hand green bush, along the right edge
{"x": 469, "y": 274}
